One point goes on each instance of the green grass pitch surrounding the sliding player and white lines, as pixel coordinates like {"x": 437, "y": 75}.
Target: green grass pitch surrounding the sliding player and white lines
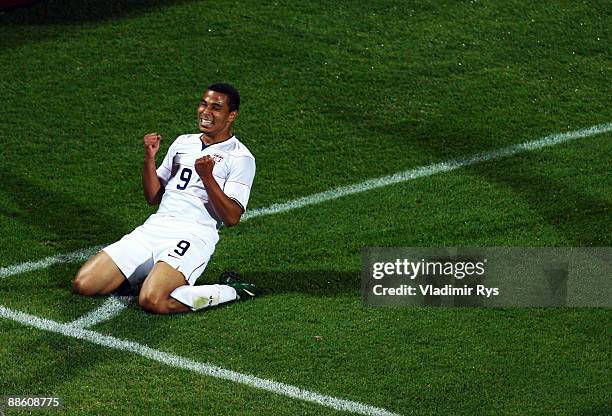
{"x": 333, "y": 93}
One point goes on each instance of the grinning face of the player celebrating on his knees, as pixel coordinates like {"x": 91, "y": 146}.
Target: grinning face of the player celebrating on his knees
{"x": 214, "y": 117}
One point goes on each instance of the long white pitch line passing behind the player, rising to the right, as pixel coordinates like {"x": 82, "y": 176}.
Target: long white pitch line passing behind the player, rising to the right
{"x": 341, "y": 191}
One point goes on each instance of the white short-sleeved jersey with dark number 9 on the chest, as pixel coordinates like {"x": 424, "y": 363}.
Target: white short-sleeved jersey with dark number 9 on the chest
{"x": 185, "y": 200}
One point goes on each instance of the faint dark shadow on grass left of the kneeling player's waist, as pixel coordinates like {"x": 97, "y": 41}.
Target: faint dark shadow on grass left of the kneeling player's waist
{"x": 65, "y": 222}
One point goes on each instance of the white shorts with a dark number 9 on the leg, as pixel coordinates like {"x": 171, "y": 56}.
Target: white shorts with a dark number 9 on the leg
{"x": 137, "y": 252}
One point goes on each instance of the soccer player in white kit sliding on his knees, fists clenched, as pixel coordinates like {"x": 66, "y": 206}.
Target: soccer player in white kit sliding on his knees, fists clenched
{"x": 204, "y": 180}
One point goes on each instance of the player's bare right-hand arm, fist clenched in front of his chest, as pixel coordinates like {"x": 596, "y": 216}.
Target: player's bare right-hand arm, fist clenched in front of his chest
{"x": 226, "y": 208}
